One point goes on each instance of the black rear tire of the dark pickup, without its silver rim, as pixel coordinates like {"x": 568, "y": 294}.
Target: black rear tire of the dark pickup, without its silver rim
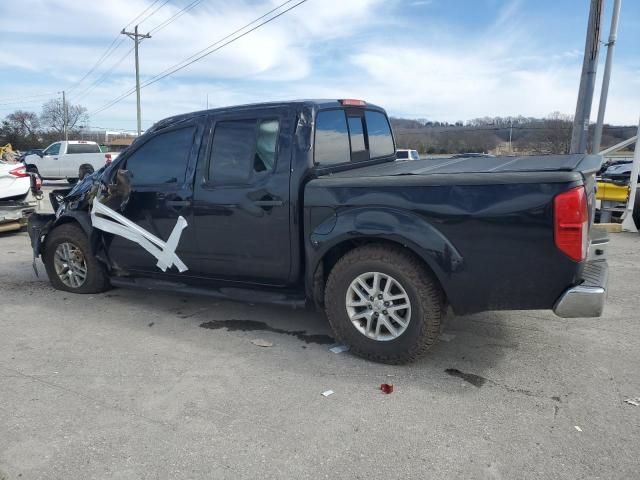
{"x": 425, "y": 296}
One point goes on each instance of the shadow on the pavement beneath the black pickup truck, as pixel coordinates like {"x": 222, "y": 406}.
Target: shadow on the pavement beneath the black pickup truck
{"x": 469, "y": 348}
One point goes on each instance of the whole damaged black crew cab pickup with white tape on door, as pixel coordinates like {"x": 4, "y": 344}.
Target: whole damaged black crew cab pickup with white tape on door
{"x": 302, "y": 203}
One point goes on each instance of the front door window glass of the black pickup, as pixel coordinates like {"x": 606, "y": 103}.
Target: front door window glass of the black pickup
{"x": 163, "y": 159}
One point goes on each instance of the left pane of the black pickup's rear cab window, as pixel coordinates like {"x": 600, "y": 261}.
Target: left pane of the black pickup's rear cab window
{"x": 332, "y": 138}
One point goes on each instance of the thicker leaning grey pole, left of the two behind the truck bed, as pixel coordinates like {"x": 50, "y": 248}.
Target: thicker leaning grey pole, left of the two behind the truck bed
{"x": 580, "y": 131}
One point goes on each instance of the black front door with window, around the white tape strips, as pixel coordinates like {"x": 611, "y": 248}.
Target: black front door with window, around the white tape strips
{"x": 161, "y": 176}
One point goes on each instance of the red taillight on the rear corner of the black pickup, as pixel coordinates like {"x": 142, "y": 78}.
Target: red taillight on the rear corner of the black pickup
{"x": 571, "y": 223}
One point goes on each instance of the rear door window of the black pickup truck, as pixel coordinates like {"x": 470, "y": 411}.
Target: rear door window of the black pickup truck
{"x": 242, "y": 149}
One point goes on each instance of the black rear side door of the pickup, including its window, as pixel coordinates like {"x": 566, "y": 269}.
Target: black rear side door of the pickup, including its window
{"x": 241, "y": 198}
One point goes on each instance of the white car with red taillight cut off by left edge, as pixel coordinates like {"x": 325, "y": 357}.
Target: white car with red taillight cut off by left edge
{"x": 17, "y": 200}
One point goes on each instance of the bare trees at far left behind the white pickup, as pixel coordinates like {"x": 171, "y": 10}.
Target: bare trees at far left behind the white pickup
{"x": 25, "y": 130}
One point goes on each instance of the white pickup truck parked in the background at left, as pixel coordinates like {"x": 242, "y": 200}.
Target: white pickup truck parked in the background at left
{"x": 68, "y": 160}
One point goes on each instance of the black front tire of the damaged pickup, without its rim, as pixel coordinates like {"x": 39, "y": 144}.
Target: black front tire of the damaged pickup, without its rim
{"x": 96, "y": 280}
